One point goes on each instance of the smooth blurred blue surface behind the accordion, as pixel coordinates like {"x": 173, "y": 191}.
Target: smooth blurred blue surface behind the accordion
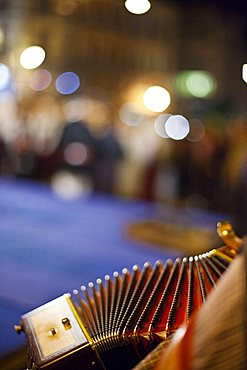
{"x": 50, "y": 246}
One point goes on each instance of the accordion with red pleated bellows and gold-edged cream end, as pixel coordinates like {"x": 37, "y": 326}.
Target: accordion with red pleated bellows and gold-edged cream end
{"x": 116, "y": 322}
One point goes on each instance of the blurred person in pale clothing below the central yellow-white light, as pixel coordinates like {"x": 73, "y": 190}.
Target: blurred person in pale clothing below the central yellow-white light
{"x": 138, "y": 169}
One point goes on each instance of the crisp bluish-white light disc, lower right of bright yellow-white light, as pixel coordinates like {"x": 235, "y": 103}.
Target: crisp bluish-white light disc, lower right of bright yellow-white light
{"x": 177, "y": 127}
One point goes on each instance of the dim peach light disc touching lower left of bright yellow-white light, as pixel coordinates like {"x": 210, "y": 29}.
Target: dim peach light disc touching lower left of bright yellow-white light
{"x": 130, "y": 114}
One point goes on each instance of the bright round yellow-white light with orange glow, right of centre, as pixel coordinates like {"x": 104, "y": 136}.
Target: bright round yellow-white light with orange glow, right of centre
{"x": 156, "y": 98}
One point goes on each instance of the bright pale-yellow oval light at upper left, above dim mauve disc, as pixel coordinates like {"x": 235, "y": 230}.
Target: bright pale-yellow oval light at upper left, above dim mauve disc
{"x": 32, "y": 57}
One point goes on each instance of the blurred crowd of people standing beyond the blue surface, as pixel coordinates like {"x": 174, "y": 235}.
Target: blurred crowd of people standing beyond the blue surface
{"x": 209, "y": 172}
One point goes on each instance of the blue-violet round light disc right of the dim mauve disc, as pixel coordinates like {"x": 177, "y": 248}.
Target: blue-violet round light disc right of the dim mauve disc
{"x": 67, "y": 83}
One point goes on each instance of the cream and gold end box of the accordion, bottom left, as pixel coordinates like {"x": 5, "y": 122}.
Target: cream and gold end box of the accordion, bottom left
{"x": 56, "y": 336}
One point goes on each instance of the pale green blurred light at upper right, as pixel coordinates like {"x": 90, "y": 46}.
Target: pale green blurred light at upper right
{"x": 199, "y": 84}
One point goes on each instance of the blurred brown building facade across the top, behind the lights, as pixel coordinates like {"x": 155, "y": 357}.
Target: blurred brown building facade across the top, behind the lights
{"x": 112, "y": 49}
